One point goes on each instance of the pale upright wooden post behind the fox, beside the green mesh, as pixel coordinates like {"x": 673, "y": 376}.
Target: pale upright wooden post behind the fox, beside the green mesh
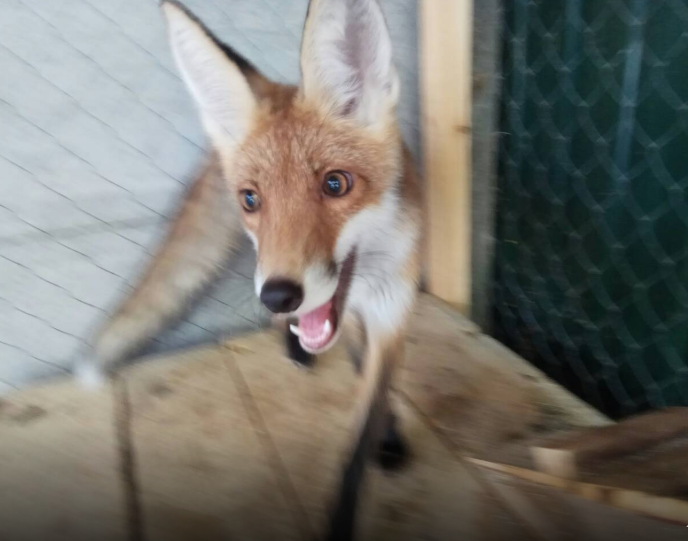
{"x": 446, "y": 30}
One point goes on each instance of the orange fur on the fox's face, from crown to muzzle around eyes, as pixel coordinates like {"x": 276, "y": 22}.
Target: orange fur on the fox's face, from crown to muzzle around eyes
{"x": 285, "y": 159}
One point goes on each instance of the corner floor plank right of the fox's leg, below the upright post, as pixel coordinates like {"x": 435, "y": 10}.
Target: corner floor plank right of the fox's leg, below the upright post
{"x": 488, "y": 401}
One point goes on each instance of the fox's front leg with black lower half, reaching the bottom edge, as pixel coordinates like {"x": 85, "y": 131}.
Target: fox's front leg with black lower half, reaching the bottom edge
{"x": 382, "y": 356}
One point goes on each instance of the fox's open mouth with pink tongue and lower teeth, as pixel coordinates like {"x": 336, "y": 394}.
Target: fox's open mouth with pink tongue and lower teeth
{"x": 318, "y": 329}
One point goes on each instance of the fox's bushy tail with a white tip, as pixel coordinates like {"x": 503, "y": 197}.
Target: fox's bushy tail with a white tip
{"x": 195, "y": 250}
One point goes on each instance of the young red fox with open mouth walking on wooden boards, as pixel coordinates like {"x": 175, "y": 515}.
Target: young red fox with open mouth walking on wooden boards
{"x": 318, "y": 177}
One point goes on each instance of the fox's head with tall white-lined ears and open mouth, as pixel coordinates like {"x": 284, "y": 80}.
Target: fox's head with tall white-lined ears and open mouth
{"x": 312, "y": 166}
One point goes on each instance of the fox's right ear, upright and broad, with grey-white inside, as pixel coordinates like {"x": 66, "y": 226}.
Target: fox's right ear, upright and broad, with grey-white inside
{"x": 346, "y": 60}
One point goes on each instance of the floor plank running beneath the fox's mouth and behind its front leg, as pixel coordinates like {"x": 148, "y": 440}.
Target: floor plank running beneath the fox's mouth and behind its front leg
{"x": 309, "y": 416}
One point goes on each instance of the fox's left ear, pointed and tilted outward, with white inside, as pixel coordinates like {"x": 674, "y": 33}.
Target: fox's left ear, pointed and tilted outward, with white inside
{"x": 217, "y": 84}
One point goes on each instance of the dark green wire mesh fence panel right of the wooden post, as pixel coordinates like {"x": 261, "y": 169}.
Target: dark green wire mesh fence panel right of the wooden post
{"x": 591, "y": 262}
